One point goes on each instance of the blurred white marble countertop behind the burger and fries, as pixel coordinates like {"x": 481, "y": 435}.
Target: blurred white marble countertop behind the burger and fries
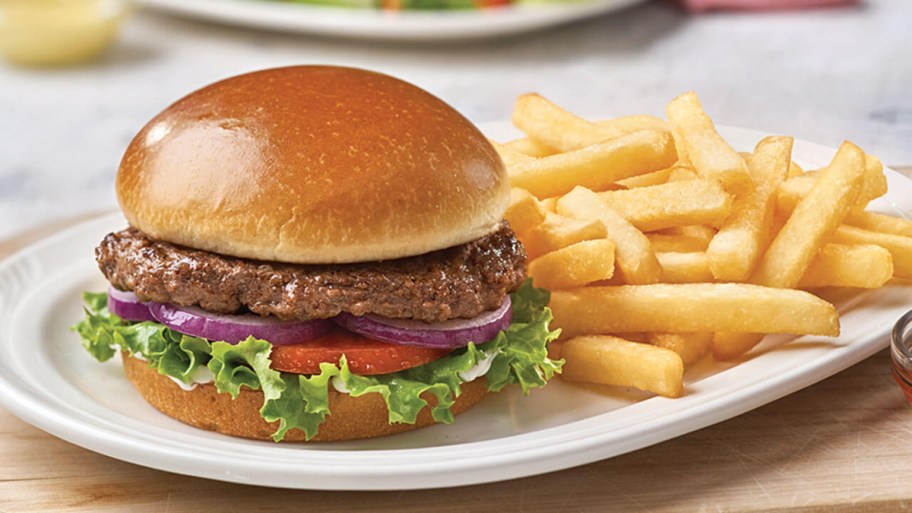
{"x": 821, "y": 75}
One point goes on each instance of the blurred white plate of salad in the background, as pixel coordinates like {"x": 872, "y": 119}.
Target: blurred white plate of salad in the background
{"x": 396, "y": 26}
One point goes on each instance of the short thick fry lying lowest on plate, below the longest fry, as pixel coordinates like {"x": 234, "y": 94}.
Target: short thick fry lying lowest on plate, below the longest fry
{"x": 615, "y": 361}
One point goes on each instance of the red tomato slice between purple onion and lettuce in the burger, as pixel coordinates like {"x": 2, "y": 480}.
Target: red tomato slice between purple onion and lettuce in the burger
{"x": 365, "y": 356}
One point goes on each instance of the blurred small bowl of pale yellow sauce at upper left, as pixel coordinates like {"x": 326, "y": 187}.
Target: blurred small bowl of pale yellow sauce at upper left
{"x": 55, "y": 32}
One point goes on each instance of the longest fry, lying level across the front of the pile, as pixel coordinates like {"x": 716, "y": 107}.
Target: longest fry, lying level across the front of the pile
{"x": 691, "y": 308}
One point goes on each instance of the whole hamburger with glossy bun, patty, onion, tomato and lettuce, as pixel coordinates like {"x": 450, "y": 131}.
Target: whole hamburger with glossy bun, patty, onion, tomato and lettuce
{"x": 315, "y": 253}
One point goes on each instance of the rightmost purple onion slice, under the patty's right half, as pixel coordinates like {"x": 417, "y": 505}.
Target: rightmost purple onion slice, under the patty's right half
{"x": 448, "y": 334}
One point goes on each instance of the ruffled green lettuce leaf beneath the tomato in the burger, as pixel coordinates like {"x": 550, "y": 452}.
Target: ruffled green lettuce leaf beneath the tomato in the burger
{"x": 520, "y": 356}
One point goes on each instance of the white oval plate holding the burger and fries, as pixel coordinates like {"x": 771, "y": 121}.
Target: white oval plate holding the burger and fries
{"x": 47, "y": 379}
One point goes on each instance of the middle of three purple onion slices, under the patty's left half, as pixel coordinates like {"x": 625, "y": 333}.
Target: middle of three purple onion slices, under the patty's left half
{"x": 236, "y": 328}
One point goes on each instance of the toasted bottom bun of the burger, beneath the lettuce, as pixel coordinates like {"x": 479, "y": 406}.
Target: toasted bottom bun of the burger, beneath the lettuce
{"x": 352, "y": 417}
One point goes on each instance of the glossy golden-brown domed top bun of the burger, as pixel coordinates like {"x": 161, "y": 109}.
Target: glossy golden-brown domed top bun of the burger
{"x": 312, "y": 164}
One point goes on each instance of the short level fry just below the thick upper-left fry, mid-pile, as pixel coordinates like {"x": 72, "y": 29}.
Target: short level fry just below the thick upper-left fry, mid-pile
{"x": 671, "y": 204}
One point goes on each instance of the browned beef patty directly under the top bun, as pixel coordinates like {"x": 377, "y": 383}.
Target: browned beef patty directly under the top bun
{"x": 461, "y": 281}
